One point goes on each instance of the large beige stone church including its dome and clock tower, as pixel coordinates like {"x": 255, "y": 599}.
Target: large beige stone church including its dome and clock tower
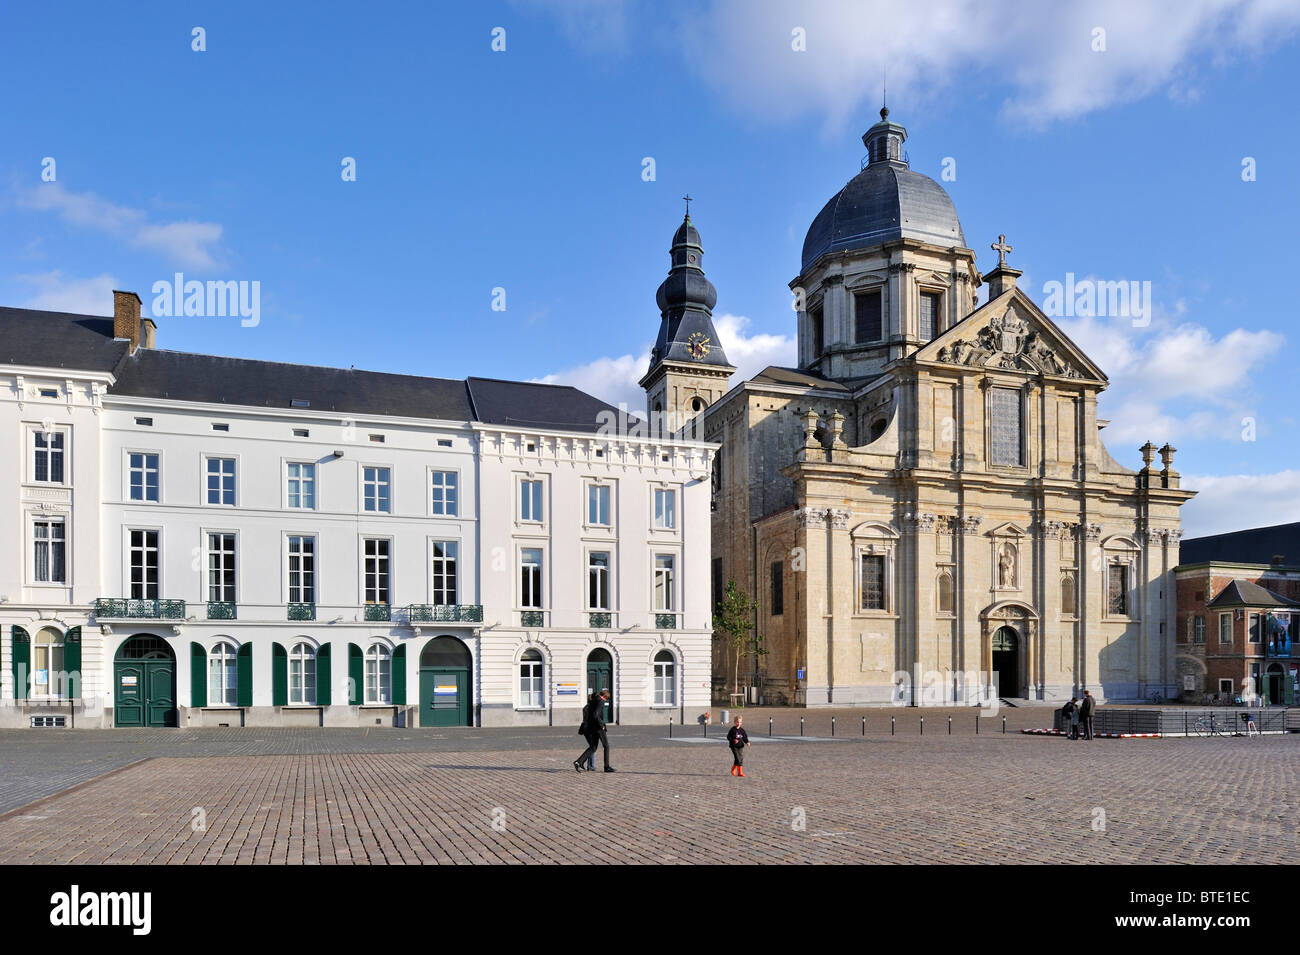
{"x": 925, "y": 509}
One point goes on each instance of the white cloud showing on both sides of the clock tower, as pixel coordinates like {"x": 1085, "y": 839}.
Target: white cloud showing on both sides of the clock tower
{"x": 614, "y": 380}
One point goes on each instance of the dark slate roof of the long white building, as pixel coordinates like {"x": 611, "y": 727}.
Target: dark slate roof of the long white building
{"x": 86, "y": 344}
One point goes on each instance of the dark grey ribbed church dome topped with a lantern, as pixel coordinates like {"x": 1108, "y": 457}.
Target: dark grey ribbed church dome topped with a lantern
{"x": 886, "y": 201}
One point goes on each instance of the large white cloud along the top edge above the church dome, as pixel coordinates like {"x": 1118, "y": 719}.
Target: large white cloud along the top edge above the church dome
{"x": 1041, "y": 54}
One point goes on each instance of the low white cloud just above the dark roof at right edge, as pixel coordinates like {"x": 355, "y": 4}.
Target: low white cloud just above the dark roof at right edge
{"x": 1233, "y": 502}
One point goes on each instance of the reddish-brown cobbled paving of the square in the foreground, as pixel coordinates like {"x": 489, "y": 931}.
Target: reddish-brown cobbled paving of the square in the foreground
{"x": 903, "y": 800}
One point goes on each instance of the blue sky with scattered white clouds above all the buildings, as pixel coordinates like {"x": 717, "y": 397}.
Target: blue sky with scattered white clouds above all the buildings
{"x": 525, "y": 171}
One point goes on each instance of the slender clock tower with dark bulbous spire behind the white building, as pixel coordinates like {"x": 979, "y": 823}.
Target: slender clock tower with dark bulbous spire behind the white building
{"x": 688, "y": 368}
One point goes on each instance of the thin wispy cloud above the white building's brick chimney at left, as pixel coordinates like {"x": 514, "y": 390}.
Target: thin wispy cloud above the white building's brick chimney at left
{"x": 190, "y": 245}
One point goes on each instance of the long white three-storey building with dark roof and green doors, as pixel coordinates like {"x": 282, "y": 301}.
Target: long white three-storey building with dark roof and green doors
{"x": 205, "y": 542}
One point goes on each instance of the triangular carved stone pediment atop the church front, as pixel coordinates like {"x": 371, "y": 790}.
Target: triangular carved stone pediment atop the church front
{"x": 1011, "y": 333}
